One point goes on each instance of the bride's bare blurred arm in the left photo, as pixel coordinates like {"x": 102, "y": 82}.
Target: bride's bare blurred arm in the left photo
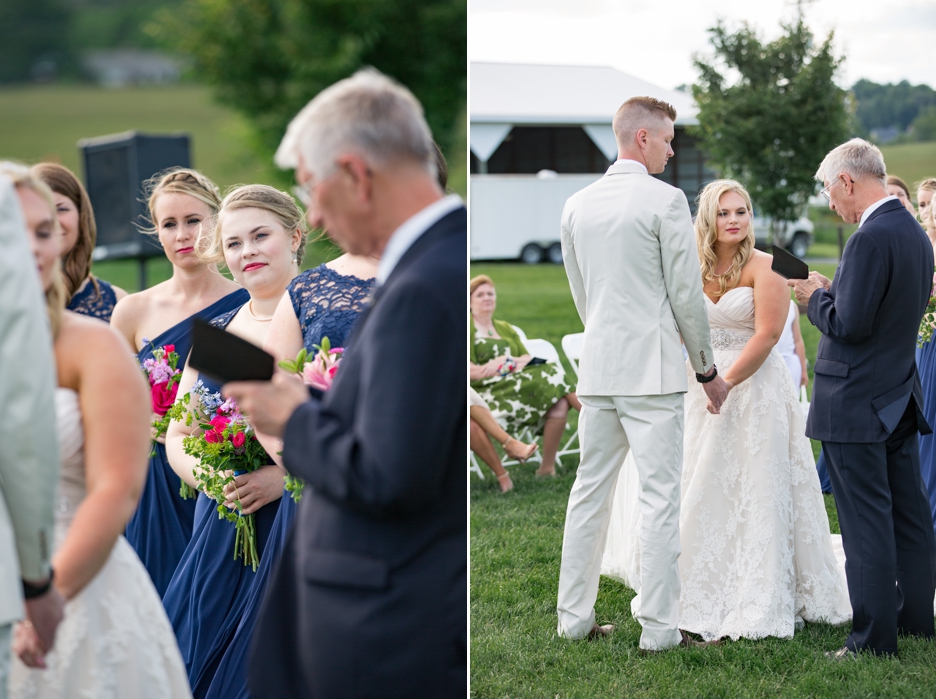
{"x": 115, "y": 410}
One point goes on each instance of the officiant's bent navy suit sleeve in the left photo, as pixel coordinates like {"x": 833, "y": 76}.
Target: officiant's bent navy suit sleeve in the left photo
{"x": 409, "y": 411}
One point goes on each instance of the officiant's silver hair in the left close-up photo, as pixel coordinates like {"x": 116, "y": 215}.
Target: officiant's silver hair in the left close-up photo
{"x": 367, "y": 114}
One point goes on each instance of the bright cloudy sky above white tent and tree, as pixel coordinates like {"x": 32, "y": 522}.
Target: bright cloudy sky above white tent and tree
{"x": 881, "y": 40}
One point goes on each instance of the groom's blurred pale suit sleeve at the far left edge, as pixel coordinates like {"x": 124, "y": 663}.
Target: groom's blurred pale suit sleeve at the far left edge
{"x": 29, "y": 459}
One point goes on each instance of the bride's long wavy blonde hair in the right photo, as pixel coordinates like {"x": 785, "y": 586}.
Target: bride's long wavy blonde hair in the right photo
{"x": 706, "y": 228}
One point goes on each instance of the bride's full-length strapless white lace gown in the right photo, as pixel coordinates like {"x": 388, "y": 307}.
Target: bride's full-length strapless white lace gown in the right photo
{"x": 756, "y": 553}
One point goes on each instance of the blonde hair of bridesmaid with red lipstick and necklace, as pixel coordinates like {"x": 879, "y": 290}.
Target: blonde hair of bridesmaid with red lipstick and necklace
{"x": 254, "y": 196}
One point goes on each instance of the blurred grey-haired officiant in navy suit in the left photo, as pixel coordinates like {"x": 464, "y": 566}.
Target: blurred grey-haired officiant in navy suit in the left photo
{"x": 370, "y": 597}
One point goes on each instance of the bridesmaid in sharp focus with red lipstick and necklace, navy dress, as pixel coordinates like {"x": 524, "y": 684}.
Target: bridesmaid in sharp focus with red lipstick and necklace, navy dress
{"x": 261, "y": 235}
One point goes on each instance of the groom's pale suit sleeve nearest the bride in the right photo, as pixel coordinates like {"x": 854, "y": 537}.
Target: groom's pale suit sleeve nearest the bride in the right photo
{"x": 684, "y": 282}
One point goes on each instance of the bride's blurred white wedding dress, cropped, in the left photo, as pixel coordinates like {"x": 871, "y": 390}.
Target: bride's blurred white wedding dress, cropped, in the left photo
{"x": 115, "y": 641}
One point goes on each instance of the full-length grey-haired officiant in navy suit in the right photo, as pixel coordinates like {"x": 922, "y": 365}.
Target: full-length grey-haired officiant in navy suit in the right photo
{"x": 867, "y": 401}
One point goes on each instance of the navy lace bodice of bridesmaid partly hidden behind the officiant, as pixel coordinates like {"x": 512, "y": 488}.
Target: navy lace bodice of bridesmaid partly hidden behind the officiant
{"x": 328, "y": 304}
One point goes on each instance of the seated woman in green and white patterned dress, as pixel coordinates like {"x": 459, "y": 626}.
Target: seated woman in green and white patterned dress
{"x": 520, "y": 395}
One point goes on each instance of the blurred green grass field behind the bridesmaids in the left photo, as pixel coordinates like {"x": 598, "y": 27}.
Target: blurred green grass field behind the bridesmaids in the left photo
{"x": 45, "y": 123}
